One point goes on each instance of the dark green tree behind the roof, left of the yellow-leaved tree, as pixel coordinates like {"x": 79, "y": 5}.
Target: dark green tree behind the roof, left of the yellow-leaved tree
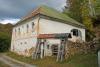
{"x": 73, "y": 9}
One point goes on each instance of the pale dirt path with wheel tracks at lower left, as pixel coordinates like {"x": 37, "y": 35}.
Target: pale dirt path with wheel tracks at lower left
{"x": 12, "y": 62}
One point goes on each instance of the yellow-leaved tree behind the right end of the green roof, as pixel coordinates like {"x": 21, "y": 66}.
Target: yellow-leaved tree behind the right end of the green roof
{"x": 86, "y": 15}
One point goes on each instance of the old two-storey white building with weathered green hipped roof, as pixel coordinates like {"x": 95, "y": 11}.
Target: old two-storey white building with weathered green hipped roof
{"x": 46, "y": 23}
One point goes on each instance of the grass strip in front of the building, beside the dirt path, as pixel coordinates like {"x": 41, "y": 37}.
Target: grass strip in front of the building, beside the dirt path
{"x": 85, "y": 60}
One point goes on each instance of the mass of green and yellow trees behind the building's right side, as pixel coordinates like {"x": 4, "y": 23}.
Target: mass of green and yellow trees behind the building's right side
{"x": 84, "y": 11}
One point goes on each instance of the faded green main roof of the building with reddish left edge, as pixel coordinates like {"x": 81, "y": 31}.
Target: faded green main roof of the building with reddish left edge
{"x": 48, "y": 11}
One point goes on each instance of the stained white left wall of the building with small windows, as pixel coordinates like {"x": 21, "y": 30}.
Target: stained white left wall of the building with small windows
{"x": 24, "y": 41}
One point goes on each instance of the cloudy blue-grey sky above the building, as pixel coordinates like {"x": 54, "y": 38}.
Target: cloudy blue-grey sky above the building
{"x": 12, "y": 10}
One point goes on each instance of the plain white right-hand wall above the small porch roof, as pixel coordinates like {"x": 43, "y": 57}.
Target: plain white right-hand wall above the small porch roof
{"x": 48, "y": 26}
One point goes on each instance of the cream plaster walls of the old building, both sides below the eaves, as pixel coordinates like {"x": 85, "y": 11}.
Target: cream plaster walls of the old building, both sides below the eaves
{"x": 24, "y": 36}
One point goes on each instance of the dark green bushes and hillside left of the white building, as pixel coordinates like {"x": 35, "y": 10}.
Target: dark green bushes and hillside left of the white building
{"x": 5, "y": 37}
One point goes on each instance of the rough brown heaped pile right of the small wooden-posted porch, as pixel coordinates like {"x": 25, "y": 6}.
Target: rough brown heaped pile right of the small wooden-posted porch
{"x": 73, "y": 48}
